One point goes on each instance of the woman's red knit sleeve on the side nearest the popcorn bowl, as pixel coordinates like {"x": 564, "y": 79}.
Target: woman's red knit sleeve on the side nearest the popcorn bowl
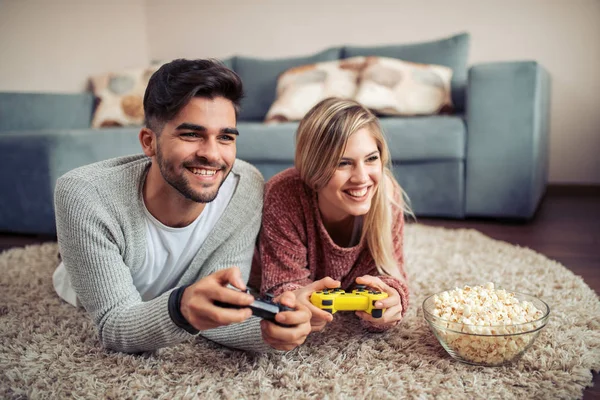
{"x": 400, "y": 284}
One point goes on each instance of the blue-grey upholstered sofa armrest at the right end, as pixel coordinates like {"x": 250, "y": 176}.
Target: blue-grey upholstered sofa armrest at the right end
{"x": 508, "y": 108}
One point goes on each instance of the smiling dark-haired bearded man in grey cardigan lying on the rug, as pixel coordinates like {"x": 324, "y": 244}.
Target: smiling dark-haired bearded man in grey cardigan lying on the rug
{"x": 149, "y": 242}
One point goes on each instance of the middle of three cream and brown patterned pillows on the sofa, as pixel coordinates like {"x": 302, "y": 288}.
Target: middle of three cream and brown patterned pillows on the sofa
{"x": 300, "y": 88}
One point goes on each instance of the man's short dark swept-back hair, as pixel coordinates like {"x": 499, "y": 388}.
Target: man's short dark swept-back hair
{"x": 174, "y": 84}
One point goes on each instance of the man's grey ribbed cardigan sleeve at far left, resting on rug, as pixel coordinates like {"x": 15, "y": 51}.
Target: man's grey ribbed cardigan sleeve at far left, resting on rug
{"x": 91, "y": 244}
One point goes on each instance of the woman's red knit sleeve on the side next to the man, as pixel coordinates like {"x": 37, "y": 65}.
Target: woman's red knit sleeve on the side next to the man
{"x": 282, "y": 242}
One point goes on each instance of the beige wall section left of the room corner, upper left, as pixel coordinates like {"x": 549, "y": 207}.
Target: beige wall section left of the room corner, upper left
{"x": 55, "y": 45}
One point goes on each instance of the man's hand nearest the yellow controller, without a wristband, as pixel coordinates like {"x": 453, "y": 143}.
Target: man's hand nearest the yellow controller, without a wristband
{"x": 298, "y": 321}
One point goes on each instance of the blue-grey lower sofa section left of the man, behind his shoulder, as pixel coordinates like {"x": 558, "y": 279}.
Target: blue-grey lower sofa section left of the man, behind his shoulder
{"x": 32, "y": 161}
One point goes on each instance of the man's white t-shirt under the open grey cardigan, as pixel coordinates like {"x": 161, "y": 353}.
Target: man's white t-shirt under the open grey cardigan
{"x": 169, "y": 251}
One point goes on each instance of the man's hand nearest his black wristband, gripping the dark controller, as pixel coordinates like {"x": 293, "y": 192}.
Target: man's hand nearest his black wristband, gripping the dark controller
{"x": 197, "y": 302}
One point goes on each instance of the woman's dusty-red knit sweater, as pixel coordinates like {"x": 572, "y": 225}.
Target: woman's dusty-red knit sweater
{"x": 295, "y": 249}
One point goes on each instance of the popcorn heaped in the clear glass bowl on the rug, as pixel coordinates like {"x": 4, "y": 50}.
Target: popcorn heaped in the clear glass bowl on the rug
{"x": 484, "y": 325}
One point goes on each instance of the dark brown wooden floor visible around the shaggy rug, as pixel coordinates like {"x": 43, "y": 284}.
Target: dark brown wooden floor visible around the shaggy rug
{"x": 566, "y": 228}
